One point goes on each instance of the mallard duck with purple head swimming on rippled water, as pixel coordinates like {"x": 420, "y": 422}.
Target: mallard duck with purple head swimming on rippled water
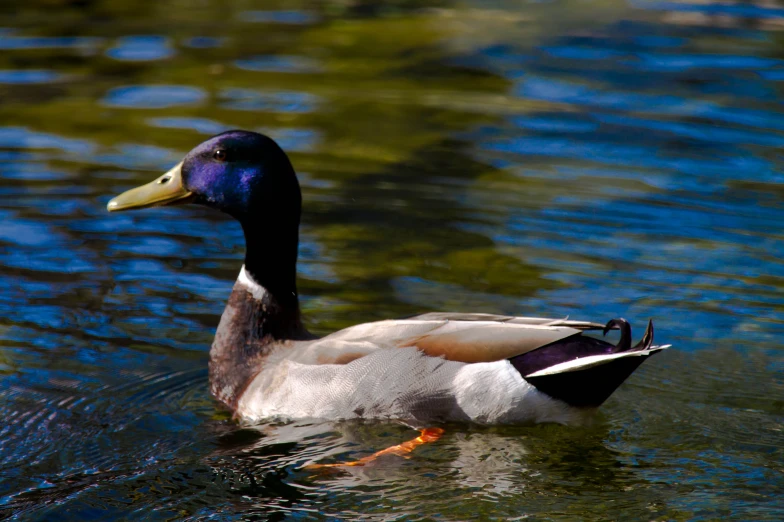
{"x": 431, "y": 368}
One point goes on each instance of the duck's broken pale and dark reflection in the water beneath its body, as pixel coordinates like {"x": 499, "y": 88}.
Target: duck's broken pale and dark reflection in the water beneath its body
{"x": 270, "y": 465}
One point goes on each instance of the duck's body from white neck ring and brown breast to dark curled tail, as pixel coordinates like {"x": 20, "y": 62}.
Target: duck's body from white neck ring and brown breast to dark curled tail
{"x": 438, "y": 367}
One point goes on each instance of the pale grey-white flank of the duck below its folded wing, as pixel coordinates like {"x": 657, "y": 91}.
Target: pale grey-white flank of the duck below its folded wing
{"x": 403, "y": 384}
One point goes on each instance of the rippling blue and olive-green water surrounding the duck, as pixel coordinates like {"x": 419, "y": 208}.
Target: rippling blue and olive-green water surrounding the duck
{"x": 589, "y": 159}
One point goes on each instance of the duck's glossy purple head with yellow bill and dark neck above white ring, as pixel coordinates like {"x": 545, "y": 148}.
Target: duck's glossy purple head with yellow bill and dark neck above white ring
{"x": 248, "y": 176}
